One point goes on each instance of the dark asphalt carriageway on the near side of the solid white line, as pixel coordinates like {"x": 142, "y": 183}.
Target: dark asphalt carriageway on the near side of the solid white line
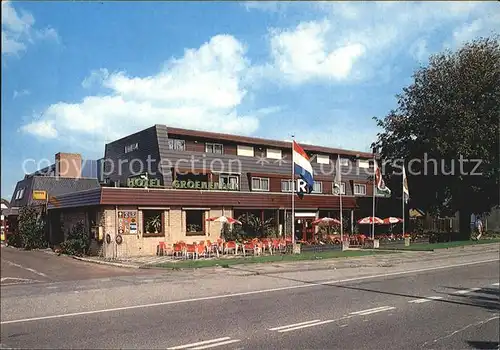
{"x": 450, "y": 308}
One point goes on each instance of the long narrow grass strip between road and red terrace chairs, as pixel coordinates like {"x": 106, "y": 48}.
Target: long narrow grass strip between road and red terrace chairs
{"x": 268, "y": 259}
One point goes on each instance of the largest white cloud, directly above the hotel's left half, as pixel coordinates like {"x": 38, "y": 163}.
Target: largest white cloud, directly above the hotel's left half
{"x": 201, "y": 90}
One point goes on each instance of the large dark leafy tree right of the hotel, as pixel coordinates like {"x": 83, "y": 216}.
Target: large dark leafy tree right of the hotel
{"x": 450, "y": 113}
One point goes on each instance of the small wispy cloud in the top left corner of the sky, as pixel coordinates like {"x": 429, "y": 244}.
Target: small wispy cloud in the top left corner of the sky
{"x": 18, "y": 30}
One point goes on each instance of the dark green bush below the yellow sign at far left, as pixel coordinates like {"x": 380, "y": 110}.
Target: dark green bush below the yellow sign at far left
{"x": 30, "y": 229}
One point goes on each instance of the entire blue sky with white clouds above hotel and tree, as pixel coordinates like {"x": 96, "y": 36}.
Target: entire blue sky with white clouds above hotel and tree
{"x": 78, "y": 74}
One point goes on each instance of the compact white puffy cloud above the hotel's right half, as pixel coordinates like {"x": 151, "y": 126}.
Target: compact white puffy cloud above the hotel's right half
{"x": 304, "y": 53}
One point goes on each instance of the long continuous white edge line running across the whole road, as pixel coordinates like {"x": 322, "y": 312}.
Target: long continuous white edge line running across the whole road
{"x": 226, "y": 296}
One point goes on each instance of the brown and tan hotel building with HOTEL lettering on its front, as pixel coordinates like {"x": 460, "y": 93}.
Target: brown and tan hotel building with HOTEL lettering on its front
{"x": 163, "y": 183}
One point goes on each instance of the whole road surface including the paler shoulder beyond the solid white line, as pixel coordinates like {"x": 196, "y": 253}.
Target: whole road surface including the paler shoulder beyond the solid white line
{"x": 434, "y": 307}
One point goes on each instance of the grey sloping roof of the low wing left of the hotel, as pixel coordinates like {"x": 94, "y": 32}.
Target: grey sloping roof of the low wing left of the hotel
{"x": 54, "y": 186}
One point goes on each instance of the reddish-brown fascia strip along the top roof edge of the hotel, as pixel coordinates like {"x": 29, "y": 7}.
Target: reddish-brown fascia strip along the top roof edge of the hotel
{"x": 264, "y": 142}
